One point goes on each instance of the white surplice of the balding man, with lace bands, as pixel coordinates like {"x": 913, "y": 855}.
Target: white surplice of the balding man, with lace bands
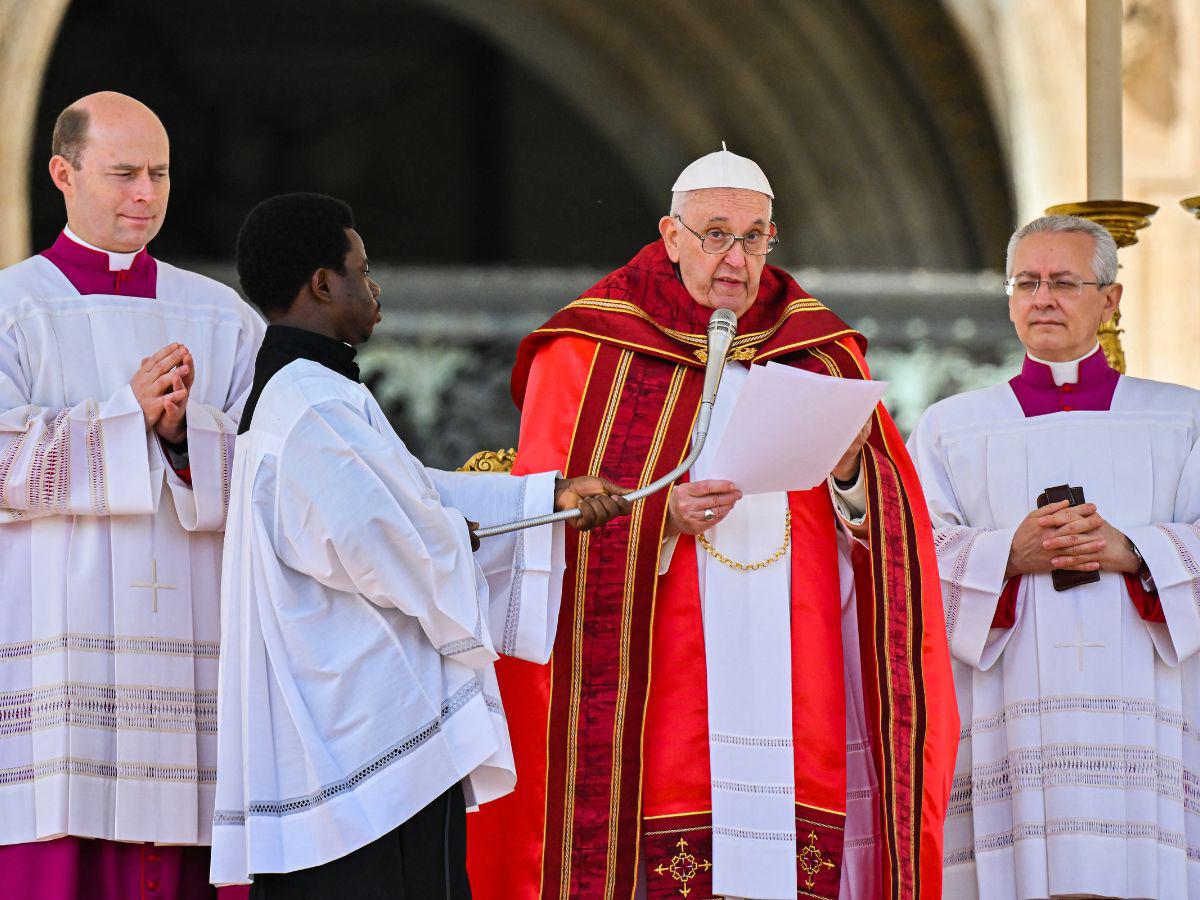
{"x": 109, "y": 562}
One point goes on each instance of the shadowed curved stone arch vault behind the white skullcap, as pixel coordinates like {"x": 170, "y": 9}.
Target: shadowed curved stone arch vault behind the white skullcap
{"x": 869, "y": 117}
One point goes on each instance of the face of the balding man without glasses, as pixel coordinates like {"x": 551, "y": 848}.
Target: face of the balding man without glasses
{"x": 118, "y": 199}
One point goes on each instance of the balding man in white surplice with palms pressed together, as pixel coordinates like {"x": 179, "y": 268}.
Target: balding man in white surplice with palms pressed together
{"x": 122, "y": 381}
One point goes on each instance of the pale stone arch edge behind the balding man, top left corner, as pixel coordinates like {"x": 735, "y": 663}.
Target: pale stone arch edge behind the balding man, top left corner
{"x": 27, "y": 35}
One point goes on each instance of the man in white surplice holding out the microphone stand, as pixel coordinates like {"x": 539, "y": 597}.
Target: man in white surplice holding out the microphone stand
{"x": 359, "y": 713}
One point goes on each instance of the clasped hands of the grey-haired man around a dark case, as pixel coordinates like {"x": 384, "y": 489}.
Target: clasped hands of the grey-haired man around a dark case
{"x": 1075, "y": 538}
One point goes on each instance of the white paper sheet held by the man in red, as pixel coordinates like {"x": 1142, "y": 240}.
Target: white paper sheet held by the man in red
{"x": 790, "y": 429}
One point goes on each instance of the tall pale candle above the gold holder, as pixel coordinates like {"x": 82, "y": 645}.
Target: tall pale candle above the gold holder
{"x": 1105, "y": 176}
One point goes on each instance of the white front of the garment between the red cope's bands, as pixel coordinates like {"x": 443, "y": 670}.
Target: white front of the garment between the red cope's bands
{"x": 749, "y": 663}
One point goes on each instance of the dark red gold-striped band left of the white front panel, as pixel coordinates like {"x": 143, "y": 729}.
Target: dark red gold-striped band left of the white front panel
{"x": 596, "y": 725}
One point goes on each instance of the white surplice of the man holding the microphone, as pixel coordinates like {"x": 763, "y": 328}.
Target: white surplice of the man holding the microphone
{"x": 359, "y": 629}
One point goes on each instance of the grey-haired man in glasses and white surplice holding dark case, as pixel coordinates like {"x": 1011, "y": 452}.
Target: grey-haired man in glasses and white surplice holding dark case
{"x": 1079, "y": 767}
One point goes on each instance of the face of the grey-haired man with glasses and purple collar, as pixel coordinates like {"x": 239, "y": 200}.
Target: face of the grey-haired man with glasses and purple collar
{"x": 1059, "y": 326}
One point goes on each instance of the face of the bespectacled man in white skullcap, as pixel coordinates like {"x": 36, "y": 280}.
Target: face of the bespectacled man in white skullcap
{"x": 724, "y": 281}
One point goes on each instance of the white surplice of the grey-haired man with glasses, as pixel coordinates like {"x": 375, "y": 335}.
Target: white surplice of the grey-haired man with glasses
{"x": 1079, "y": 766}
